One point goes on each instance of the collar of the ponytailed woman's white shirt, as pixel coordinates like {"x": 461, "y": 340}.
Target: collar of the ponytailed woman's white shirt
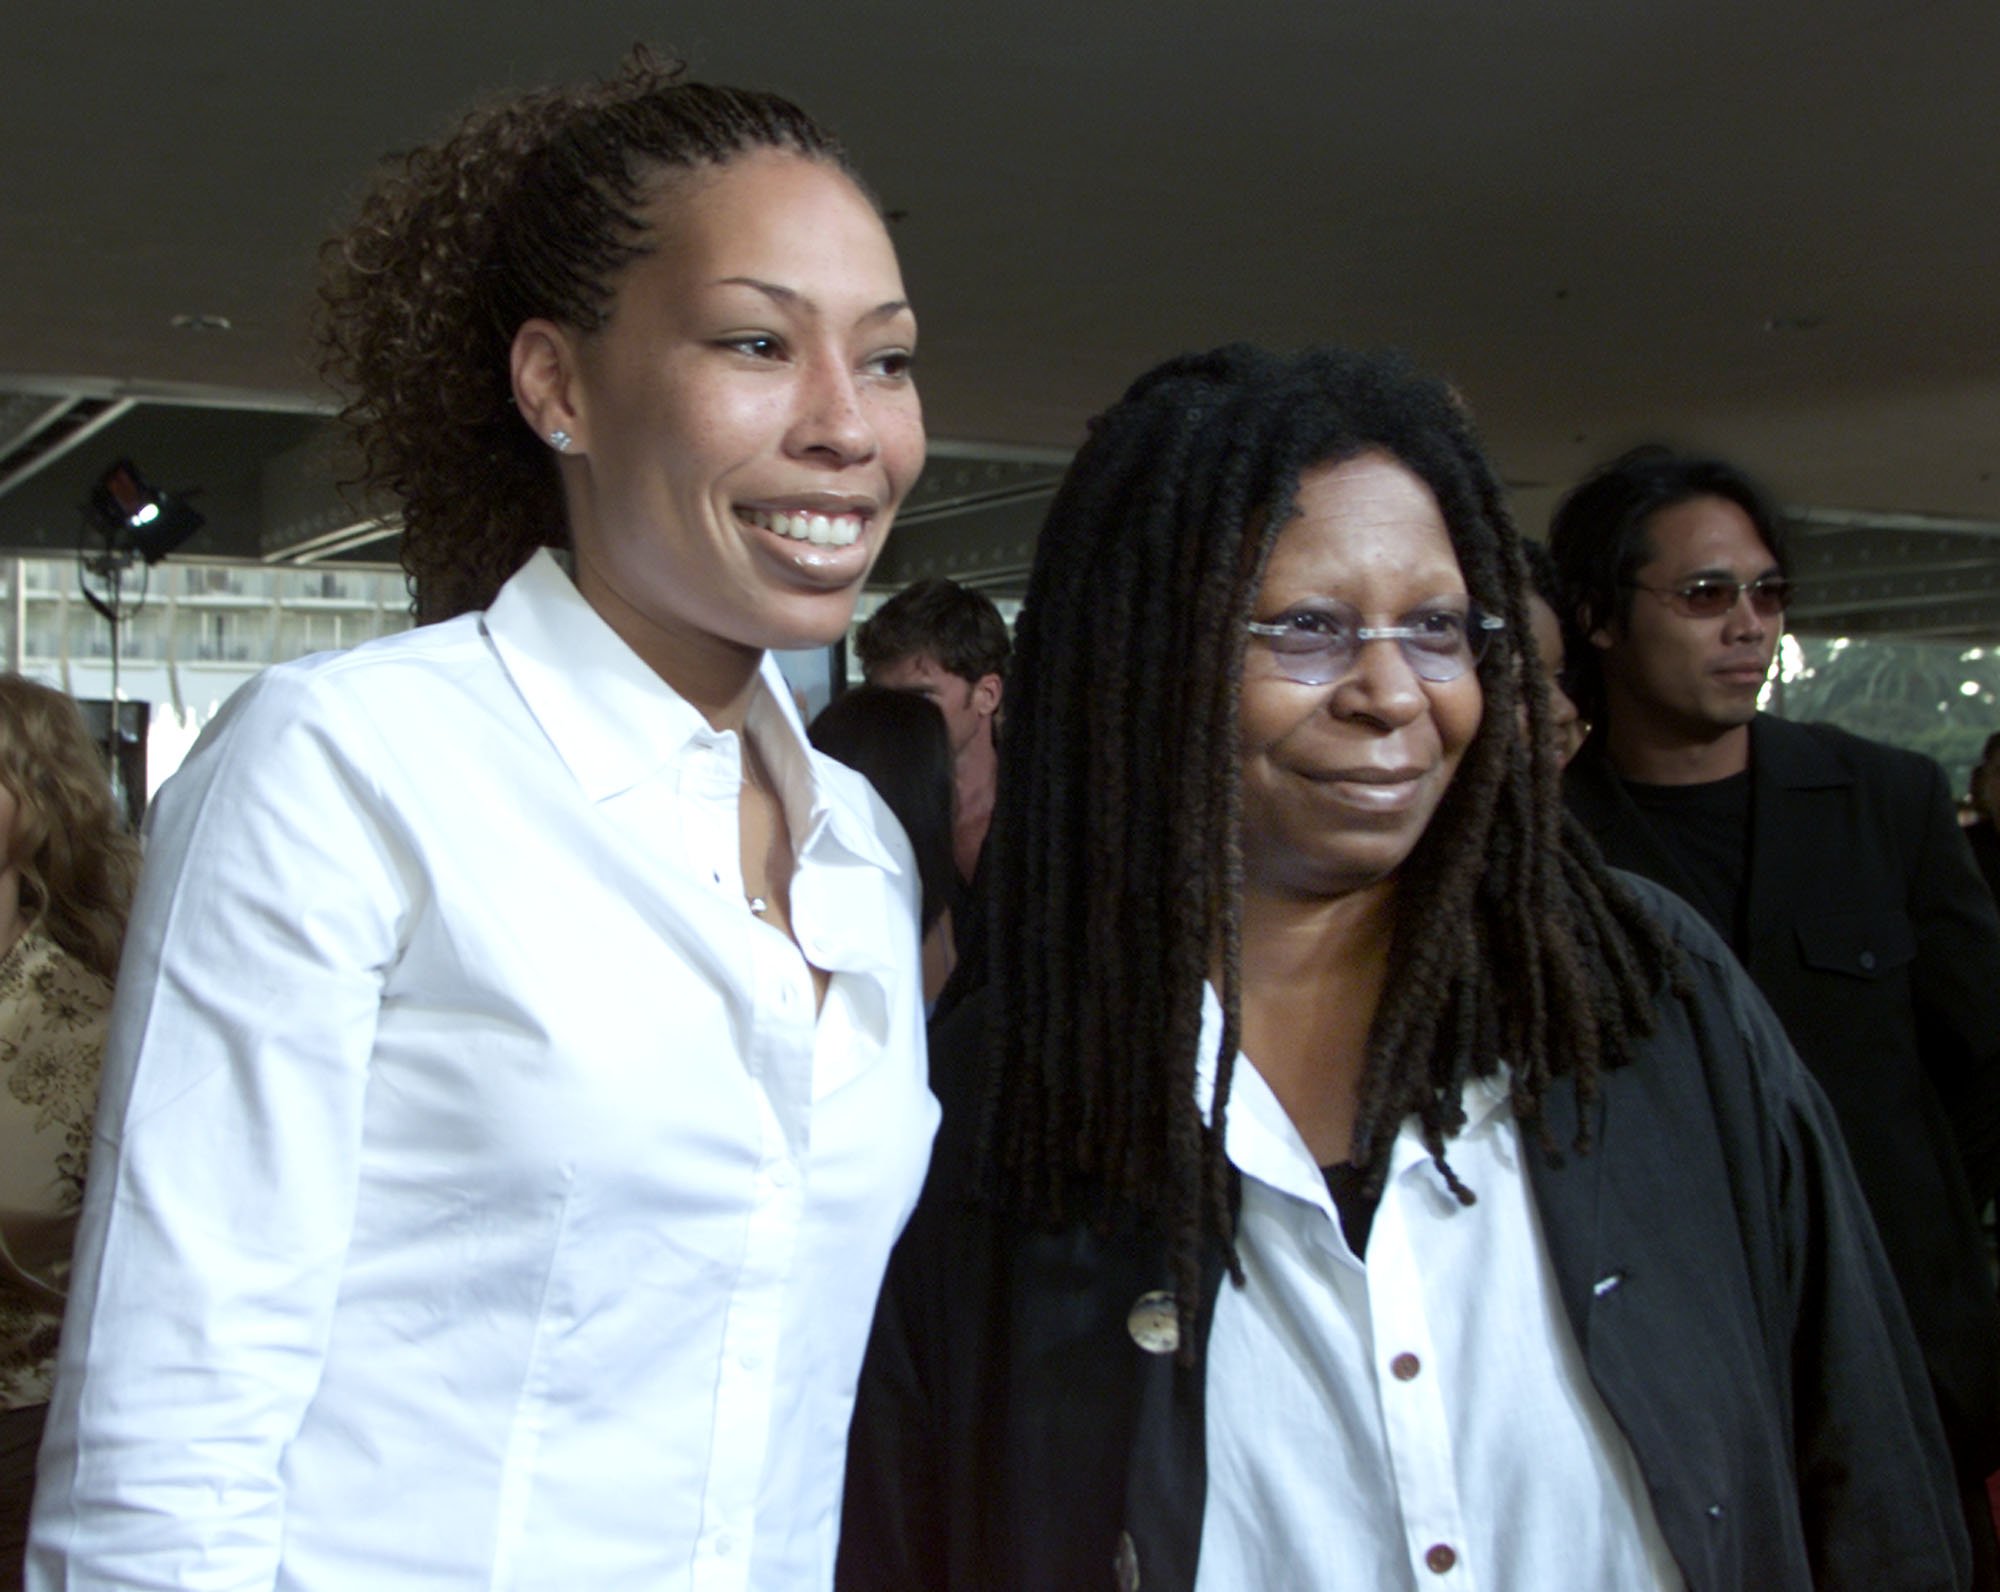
{"x": 615, "y": 723}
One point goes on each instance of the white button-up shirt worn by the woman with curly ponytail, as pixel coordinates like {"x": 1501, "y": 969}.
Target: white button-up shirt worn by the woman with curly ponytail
{"x": 477, "y": 1199}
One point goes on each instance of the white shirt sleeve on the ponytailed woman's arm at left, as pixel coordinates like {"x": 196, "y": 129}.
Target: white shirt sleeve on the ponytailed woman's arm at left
{"x": 229, "y": 1149}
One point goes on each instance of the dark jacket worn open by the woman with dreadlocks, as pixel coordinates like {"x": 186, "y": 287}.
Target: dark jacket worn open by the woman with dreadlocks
{"x": 1715, "y": 1261}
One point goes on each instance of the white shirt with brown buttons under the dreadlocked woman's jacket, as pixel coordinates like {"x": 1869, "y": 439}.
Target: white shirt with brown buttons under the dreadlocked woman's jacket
{"x": 1423, "y": 1421}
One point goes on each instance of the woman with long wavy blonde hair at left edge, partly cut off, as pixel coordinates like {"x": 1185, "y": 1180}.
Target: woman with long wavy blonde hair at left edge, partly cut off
{"x": 67, "y": 877}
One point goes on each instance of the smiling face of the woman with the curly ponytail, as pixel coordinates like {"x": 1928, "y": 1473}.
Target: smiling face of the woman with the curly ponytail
{"x": 745, "y": 423}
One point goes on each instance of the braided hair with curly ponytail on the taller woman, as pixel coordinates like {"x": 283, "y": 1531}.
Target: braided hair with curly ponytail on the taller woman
{"x": 527, "y": 209}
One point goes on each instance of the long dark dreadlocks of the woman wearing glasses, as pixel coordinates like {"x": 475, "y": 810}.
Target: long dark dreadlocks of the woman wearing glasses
{"x": 1117, "y": 831}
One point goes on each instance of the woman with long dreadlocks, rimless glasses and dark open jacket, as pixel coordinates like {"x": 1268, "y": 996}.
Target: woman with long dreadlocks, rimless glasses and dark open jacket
{"x": 1345, "y": 1181}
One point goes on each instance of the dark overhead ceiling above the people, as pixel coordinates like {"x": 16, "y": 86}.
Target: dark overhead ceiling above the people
{"x": 1767, "y": 229}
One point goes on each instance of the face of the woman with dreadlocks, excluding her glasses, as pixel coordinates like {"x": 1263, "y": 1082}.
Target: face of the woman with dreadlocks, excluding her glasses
{"x": 1341, "y": 781}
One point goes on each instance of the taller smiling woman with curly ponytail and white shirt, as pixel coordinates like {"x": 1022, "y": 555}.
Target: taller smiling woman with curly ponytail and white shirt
{"x": 517, "y": 1081}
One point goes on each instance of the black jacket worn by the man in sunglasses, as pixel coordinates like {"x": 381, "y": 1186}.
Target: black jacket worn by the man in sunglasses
{"x": 1877, "y": 945}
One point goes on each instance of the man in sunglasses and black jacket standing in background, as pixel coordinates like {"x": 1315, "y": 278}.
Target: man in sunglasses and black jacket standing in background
{"x": 1833, "y": 867}
